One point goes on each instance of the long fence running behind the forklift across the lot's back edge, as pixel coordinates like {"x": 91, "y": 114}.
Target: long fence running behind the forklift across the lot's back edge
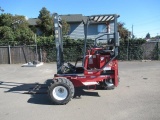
{"x": 127, "y": 51}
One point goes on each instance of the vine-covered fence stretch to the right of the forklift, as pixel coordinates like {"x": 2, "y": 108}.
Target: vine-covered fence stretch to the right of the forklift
{"x": 138, "y": 51}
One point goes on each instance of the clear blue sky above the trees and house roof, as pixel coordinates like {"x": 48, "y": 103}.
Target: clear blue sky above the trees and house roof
{"x": 141, "y": 15}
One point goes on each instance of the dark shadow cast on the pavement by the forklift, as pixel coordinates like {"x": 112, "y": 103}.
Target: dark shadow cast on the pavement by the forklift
{"x": 39, "y": 92}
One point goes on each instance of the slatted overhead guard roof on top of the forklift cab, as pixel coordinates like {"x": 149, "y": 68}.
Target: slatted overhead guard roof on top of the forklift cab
{"x": 102, "y": 18}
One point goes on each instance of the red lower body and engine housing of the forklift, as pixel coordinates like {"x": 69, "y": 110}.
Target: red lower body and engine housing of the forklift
{"x": 94, "y": 65}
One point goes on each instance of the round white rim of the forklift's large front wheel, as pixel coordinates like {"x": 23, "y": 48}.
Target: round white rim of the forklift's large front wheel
{"x": 60, "y": 93}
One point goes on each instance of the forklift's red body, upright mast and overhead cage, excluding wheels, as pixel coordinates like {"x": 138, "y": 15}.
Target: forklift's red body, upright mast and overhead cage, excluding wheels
{"x": 99, "y": 64}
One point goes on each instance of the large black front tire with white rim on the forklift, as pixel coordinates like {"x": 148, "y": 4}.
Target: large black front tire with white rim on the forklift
{"x": 61, "y": 91}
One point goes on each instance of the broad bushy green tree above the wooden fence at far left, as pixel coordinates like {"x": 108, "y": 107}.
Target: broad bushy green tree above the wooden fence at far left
{"x": 14, "y": 30}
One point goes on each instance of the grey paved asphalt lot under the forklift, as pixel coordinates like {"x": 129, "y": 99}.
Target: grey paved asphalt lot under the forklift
{"x": 136, "y": 98}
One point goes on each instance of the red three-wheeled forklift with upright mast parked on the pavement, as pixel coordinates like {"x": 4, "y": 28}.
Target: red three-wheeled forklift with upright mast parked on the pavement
{"x": 99, "y": 62}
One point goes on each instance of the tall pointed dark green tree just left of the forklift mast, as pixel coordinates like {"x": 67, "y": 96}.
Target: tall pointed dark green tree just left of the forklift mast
{"x": 45, "y": 22}
